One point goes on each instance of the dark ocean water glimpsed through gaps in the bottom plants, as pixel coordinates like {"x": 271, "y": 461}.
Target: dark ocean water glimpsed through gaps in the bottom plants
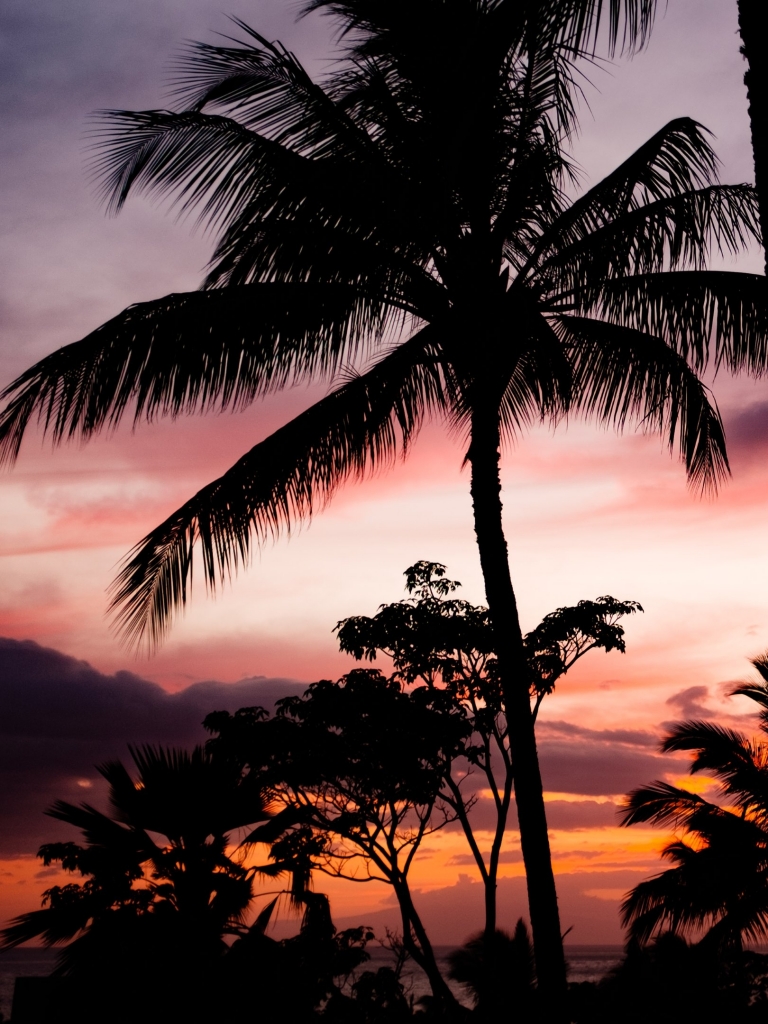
{"x": 586, "y": 964}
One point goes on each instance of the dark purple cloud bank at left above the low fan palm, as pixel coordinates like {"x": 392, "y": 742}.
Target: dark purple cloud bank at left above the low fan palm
{"x": 60, "y": 717}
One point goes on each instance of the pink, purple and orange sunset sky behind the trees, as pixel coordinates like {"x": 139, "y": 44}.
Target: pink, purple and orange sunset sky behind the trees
{"x": 587, "y": 513}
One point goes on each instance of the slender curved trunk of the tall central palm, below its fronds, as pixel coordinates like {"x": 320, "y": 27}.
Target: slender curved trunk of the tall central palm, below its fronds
{"x": 545, "y": 918}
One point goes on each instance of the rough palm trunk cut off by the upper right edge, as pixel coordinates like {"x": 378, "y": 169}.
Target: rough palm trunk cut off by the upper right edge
{"x": 751, "y": 28}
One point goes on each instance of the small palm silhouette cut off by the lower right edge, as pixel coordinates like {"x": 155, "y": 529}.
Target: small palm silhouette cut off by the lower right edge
{"x": 720, "y": 878}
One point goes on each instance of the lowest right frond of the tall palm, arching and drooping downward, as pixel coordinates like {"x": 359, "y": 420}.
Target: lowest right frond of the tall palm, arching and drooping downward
{"x": 623, "y": 375}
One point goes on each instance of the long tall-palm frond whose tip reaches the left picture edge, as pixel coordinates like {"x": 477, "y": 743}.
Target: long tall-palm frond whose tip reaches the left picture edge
{"x": 194, "y": 352}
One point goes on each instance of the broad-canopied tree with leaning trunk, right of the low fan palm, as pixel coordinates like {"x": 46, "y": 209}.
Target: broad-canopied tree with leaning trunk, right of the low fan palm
{"x": 357, "y": 766}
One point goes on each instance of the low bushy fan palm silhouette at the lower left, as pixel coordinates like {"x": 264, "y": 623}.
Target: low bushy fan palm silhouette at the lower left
{"x": 187, "y": 886}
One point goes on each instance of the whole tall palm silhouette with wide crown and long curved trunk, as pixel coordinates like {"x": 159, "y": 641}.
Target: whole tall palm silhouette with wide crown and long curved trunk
{"x": 410, "y": 217}
